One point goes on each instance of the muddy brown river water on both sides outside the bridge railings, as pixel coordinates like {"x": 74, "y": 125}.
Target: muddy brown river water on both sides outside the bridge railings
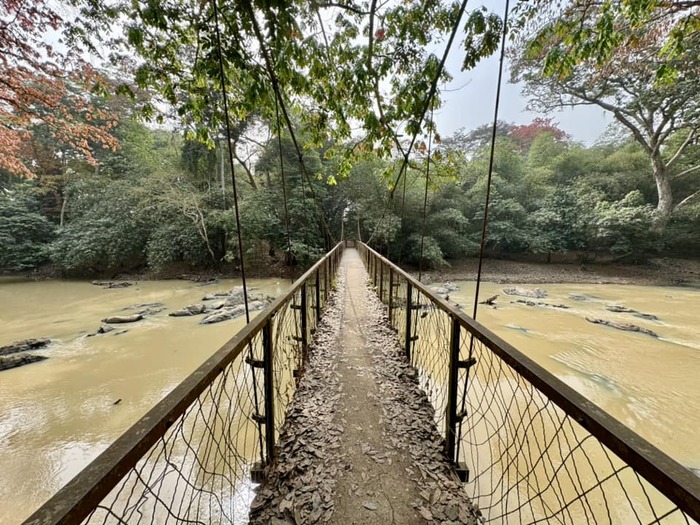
{"x": 57, "y": 415}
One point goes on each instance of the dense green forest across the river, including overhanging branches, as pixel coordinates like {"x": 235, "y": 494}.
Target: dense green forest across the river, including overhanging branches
{"x": 104, "y": 172}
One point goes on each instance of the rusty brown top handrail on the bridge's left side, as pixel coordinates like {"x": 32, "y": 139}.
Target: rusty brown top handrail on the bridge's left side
{"x": 79, "y": 497}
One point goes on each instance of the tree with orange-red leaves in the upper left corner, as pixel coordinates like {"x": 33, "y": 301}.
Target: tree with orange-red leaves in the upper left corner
{"x": 39, "y": 85}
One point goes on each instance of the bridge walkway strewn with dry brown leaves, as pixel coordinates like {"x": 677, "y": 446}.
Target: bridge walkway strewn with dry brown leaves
{"x": 360, "y": 443}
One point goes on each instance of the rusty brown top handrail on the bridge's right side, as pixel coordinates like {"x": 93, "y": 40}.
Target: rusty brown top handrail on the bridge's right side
{"x": 668, "y": 476}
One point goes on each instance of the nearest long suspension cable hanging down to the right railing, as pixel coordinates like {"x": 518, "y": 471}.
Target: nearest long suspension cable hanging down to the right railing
{"x": 486, "y": 211}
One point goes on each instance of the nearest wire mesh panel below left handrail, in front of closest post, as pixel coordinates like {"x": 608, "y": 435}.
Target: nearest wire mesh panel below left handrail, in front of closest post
{"x": 198, "y": 472}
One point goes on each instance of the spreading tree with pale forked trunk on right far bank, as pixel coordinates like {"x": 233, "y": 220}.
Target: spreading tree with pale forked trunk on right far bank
{"x": 627, "y": 85}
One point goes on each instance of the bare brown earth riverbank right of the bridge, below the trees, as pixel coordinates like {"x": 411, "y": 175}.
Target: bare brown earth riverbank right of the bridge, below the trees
{"x": 657, "y": 272}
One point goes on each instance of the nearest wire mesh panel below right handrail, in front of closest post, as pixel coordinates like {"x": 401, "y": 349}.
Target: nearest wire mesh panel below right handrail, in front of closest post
{"x": 530, "y": 462}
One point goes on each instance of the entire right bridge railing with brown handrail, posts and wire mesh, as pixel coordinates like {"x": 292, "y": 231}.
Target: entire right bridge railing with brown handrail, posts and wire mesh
{"x": 530, "y": 448}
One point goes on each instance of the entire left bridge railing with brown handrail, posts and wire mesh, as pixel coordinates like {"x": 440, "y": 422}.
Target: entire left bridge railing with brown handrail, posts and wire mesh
{"x": 190, "y": 459}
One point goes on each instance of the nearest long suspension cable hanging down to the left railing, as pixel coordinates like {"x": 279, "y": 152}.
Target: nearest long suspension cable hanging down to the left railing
{"x": 237, "y": 214}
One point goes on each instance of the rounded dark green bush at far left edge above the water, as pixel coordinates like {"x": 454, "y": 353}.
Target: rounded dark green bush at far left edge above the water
{"x": 24, "y": 232}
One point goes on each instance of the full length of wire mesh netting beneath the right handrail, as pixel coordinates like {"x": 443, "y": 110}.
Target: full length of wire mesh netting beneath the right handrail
{"x": 528, "y": 460}
